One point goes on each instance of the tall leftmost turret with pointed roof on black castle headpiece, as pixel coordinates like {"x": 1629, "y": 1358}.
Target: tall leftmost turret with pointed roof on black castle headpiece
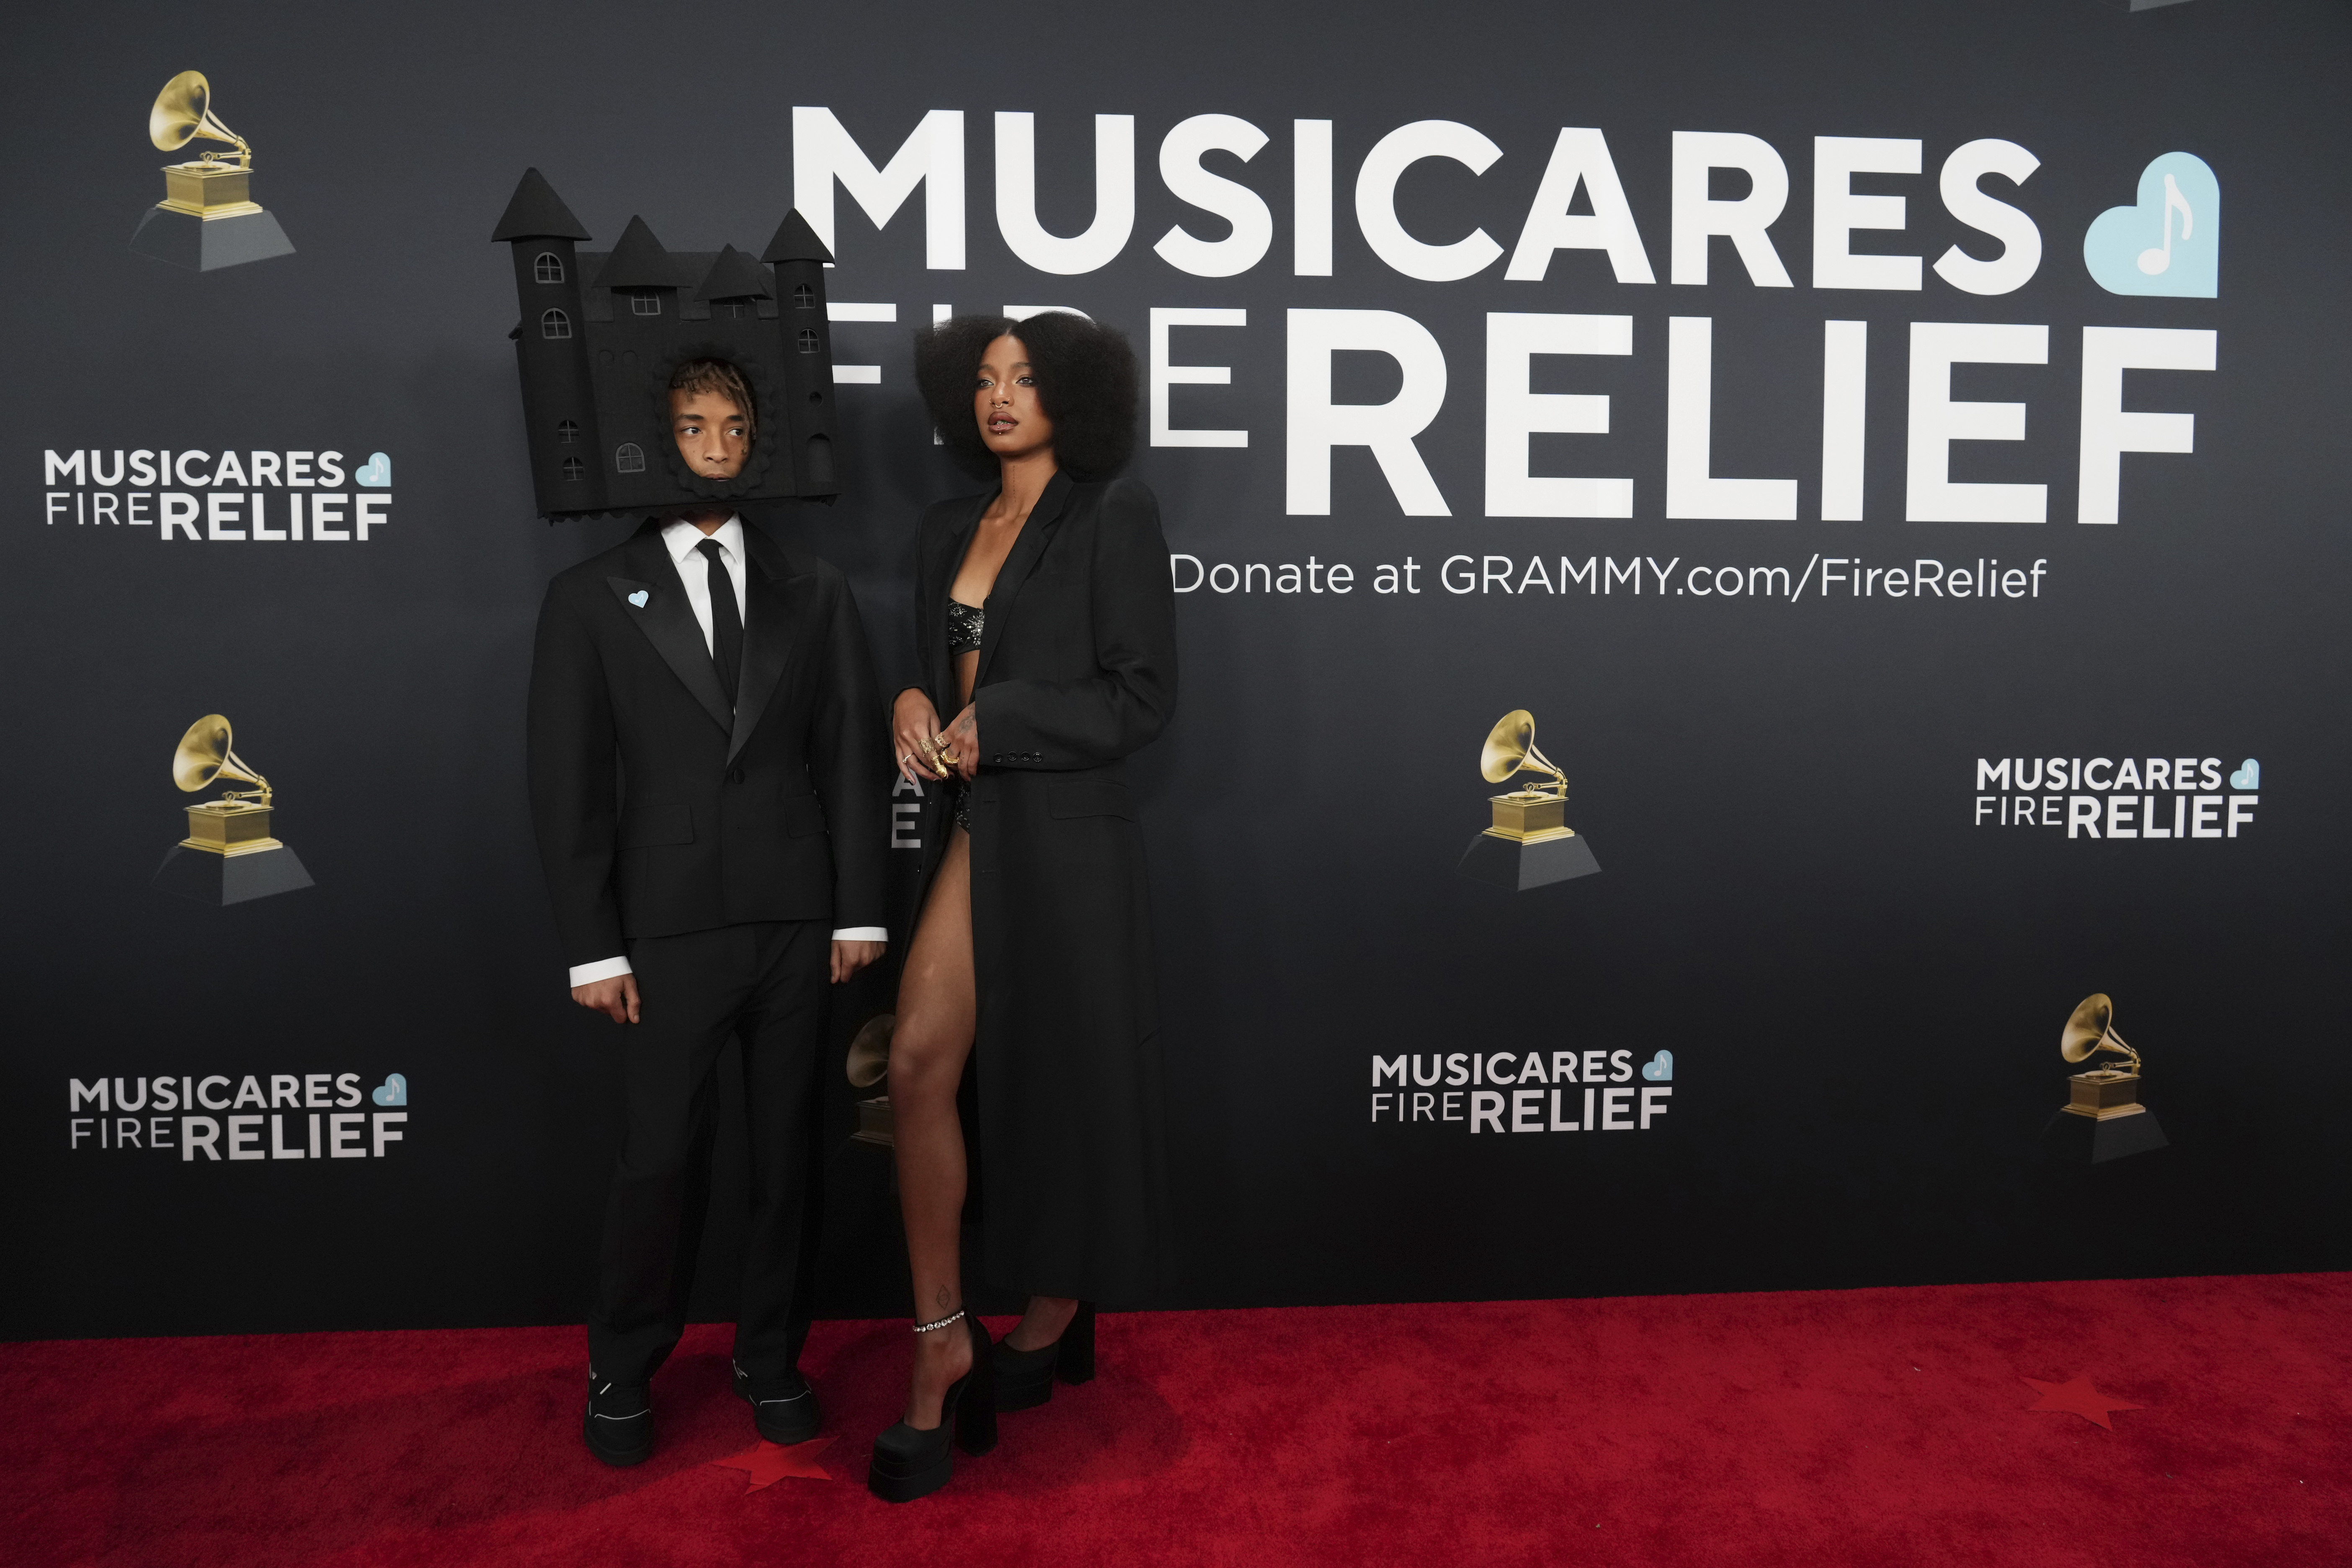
{"x": 552, "y": 349}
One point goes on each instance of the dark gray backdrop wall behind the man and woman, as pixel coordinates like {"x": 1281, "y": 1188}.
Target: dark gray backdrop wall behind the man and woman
{"x": 1862, "y": 986}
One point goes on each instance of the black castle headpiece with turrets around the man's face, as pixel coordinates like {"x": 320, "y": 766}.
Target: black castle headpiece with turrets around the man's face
{"x": 603, "y": 330}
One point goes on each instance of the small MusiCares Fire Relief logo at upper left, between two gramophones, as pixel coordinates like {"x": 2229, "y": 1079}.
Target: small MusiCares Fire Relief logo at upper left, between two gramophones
{"x": 232, "y": 497}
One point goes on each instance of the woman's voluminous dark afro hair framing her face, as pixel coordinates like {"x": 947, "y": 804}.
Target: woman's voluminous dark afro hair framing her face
{"x": 1085, "y": 382}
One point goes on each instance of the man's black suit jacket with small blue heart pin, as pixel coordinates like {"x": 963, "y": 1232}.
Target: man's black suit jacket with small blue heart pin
{"x": 662, "y": 808}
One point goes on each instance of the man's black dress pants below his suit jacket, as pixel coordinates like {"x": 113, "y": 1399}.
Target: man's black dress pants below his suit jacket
{"x": 766, "y": 986}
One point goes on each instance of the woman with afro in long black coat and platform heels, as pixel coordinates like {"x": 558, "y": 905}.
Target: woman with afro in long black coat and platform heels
{"x": 1045, "y": 638}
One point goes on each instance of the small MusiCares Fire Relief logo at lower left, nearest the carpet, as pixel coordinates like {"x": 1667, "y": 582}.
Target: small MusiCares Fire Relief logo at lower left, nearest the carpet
{"x": 302, "y": 1115}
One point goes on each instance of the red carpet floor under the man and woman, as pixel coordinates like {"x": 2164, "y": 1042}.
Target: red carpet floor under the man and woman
{"x": 1742, "y": 1430}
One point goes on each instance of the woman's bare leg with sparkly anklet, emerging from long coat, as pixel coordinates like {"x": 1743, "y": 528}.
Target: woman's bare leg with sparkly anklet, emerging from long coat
{"x": 937, "y": 1019}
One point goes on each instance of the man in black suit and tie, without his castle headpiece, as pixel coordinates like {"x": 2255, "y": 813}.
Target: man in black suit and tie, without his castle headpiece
{"x": 707, "y": 763}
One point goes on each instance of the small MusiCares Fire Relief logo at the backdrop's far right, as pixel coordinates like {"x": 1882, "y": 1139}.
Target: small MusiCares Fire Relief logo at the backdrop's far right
{"x": 2139, "y": 798}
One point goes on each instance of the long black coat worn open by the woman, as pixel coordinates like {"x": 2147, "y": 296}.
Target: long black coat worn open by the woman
{"x": 1078, "y": 671}
